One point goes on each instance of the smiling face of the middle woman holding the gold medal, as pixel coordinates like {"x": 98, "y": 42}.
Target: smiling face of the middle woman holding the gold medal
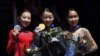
{"x": 47, "y": 18}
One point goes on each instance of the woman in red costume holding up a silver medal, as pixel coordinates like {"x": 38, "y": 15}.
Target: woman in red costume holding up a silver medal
{"x": 20, "y": 37}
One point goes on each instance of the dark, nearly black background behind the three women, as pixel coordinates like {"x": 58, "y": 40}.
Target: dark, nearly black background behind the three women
{"x": 87, "y": 9}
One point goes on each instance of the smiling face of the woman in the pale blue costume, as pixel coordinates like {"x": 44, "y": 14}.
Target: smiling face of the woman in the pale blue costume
{"x": 73, "y": 18}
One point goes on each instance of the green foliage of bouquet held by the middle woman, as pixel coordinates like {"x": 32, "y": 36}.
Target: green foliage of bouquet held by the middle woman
{"x": 52, "y": 32}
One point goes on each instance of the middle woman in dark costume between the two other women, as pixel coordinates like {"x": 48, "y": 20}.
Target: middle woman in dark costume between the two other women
{"x": 49, "y": 43}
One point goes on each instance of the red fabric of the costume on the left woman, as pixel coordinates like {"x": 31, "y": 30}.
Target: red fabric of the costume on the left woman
{"x": 24, "y": 40}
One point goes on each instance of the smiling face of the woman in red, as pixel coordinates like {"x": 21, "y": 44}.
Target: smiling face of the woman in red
{"x": 25, "y": 18}
